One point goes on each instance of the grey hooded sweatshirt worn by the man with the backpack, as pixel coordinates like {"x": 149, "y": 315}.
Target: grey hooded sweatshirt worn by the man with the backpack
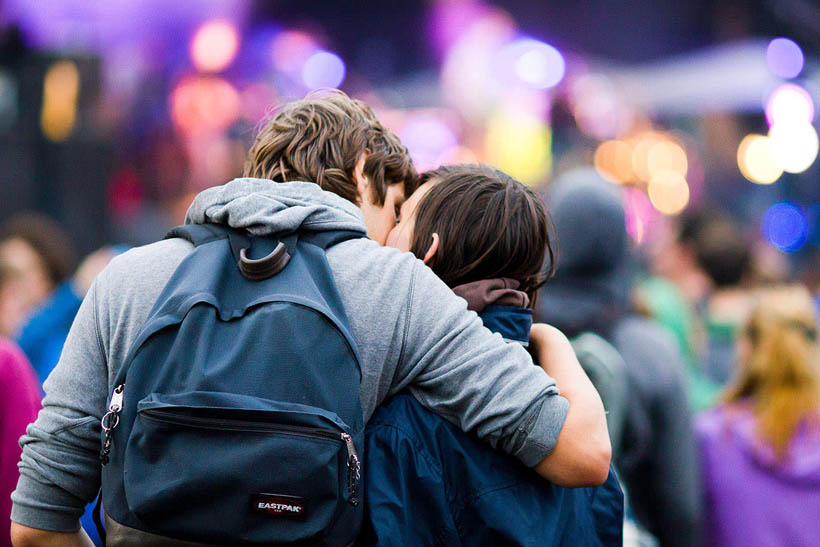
{"x": 411, "y": 330}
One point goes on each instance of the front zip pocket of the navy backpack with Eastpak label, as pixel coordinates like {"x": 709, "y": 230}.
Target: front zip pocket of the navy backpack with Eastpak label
{"x": 200, "y": 463}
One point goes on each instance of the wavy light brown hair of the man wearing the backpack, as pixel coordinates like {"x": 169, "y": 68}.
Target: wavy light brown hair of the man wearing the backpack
{"x": 321, "y": 137}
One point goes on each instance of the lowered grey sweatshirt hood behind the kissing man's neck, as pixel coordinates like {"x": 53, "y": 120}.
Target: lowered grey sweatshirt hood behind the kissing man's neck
{"x": 263, "y": 207}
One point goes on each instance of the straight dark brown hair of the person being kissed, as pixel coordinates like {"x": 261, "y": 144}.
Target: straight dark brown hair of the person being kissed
{"x": 489, "y": 225}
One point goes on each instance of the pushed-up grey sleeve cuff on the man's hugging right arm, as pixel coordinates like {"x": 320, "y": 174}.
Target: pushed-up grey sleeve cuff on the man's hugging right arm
{"x": 541, "y": 432}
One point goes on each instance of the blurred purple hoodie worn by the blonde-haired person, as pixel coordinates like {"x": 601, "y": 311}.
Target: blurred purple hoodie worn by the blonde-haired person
{"x": 751, "y": 497}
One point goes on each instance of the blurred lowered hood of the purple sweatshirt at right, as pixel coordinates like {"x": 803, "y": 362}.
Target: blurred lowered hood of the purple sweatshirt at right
{"x": 802, "y": 465}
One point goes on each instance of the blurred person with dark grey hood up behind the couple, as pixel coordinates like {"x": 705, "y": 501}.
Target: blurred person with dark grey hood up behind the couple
{"x": 592, "y": 293}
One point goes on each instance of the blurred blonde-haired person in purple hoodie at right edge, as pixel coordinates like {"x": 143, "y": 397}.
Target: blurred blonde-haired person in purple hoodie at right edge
{"x": 760, "y": 449}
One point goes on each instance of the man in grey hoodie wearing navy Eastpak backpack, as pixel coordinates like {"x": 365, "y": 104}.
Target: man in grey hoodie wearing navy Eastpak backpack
{"x": 165, "y": 451}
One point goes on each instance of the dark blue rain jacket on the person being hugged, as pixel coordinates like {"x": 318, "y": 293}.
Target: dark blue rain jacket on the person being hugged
{"x": 429, "y": 483}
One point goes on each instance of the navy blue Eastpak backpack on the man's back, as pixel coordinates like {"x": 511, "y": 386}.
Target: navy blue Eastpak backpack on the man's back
{"x": 235, "y": 419}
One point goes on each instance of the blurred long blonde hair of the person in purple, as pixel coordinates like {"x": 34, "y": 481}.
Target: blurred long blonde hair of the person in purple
{"x": 781, "y": 377}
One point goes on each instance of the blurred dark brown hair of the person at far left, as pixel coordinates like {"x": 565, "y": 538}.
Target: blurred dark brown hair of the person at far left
{"x": 49, "y": 241}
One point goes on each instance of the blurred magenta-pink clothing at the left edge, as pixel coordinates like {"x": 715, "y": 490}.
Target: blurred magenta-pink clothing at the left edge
{"x": 19, "y": 404}
